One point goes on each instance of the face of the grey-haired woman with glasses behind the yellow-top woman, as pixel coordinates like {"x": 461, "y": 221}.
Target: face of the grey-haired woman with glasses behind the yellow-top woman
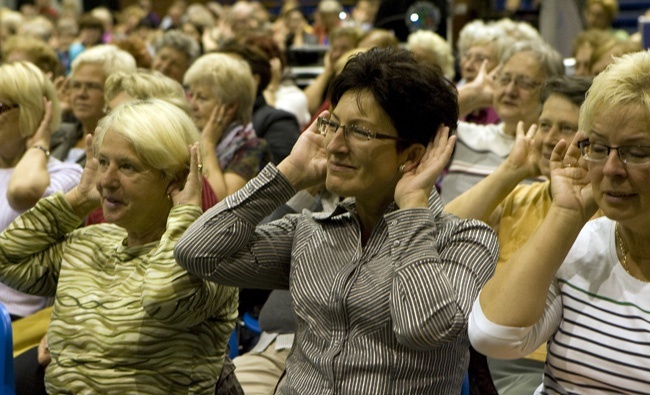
{"x": 516, "y": 97}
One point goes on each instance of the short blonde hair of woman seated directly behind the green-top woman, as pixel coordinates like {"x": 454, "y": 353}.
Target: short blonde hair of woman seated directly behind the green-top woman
{"x": 231, "y": 80}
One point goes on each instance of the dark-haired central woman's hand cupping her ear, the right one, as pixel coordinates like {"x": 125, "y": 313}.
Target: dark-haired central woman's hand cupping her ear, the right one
{"x": 418, "y": 179}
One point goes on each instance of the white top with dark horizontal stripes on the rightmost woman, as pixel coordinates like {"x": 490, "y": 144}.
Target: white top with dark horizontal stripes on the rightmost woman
{"x": 596, "y": 321}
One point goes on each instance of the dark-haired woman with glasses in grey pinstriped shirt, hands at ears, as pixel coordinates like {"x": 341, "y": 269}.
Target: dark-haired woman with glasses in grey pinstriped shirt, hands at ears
{"x": 382, "y": 286}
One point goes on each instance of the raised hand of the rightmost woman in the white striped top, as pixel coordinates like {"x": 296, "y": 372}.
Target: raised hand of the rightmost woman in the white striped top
{"x": 570, "y": 183}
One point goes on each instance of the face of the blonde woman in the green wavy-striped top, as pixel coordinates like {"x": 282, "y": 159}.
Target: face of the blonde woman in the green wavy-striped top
{"x": 133, "y": 195}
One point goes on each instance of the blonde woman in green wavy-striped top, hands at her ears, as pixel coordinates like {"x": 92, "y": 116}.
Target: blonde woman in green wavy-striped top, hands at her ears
{"x": 126, "y": 316}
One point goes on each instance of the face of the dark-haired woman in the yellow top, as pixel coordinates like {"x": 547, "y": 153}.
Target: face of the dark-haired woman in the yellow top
{"x": 559, "y": 120}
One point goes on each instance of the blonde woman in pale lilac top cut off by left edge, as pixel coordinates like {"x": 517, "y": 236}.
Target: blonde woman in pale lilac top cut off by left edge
{"x": 29, "y": 111}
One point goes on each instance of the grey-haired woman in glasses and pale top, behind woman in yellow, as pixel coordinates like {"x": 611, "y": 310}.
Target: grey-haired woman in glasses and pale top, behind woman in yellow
{"x": 514, "y": 93}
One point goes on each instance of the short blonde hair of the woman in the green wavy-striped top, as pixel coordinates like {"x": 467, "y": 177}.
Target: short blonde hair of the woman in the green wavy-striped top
{"x": 159, "y": 131}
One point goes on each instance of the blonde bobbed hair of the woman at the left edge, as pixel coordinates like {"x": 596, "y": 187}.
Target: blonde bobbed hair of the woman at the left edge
{"x": 24, "y": 84}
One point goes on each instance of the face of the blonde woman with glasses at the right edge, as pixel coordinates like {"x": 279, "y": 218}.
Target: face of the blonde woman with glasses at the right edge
{"x": 621, "y": 190}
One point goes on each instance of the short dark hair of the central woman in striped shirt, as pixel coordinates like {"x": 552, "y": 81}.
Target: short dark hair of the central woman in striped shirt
{"x": 416, "y": 96}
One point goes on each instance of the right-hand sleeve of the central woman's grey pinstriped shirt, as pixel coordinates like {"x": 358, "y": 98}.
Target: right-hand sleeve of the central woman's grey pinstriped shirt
{"x": 439, "y": 270}
